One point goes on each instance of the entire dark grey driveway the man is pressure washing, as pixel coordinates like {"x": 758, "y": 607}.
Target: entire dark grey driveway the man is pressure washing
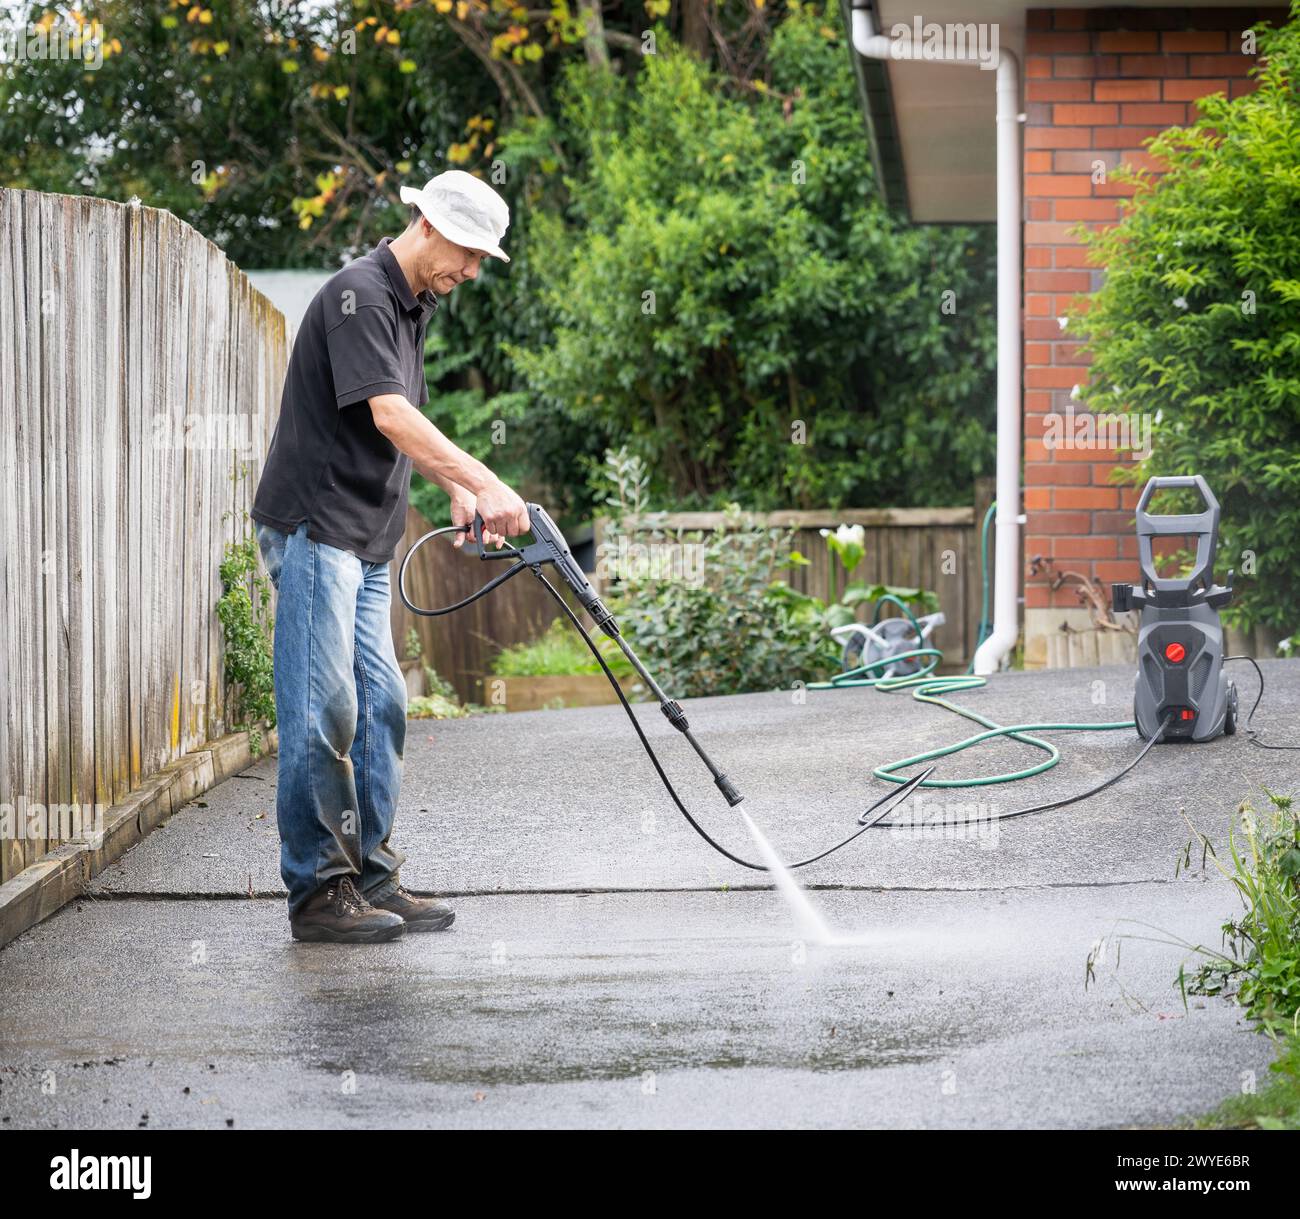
{"x": 609, "y": 970}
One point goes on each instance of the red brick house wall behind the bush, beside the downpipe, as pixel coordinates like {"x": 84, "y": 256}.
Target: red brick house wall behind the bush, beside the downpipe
{"x": 1098, "y": 83}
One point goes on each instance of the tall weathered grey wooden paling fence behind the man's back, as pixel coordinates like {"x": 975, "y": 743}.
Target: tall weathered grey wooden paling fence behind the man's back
{"x": 140, "y": 380}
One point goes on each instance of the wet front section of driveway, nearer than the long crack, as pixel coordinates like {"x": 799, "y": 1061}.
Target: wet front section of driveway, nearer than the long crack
{"x": 627, "y": 1010}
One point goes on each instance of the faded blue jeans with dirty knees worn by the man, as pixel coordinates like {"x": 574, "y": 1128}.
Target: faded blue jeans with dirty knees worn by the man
{"x": 341, "y": 717}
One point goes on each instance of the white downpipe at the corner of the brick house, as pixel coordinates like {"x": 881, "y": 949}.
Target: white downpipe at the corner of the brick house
{"x": 1007, "y": 572}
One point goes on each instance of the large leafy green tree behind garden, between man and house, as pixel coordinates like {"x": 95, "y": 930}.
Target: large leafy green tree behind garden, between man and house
{"x": 727, "y": 293}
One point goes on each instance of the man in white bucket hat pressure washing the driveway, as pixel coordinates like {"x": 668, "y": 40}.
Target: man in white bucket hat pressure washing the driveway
{"x": 331, "y": 509}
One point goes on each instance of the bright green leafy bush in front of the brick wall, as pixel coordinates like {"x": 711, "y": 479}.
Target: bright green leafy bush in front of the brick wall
{"x": 1198, "y": 324}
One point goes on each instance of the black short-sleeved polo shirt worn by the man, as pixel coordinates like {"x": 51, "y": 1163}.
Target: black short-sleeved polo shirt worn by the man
{"x": 330, "y": 466}
